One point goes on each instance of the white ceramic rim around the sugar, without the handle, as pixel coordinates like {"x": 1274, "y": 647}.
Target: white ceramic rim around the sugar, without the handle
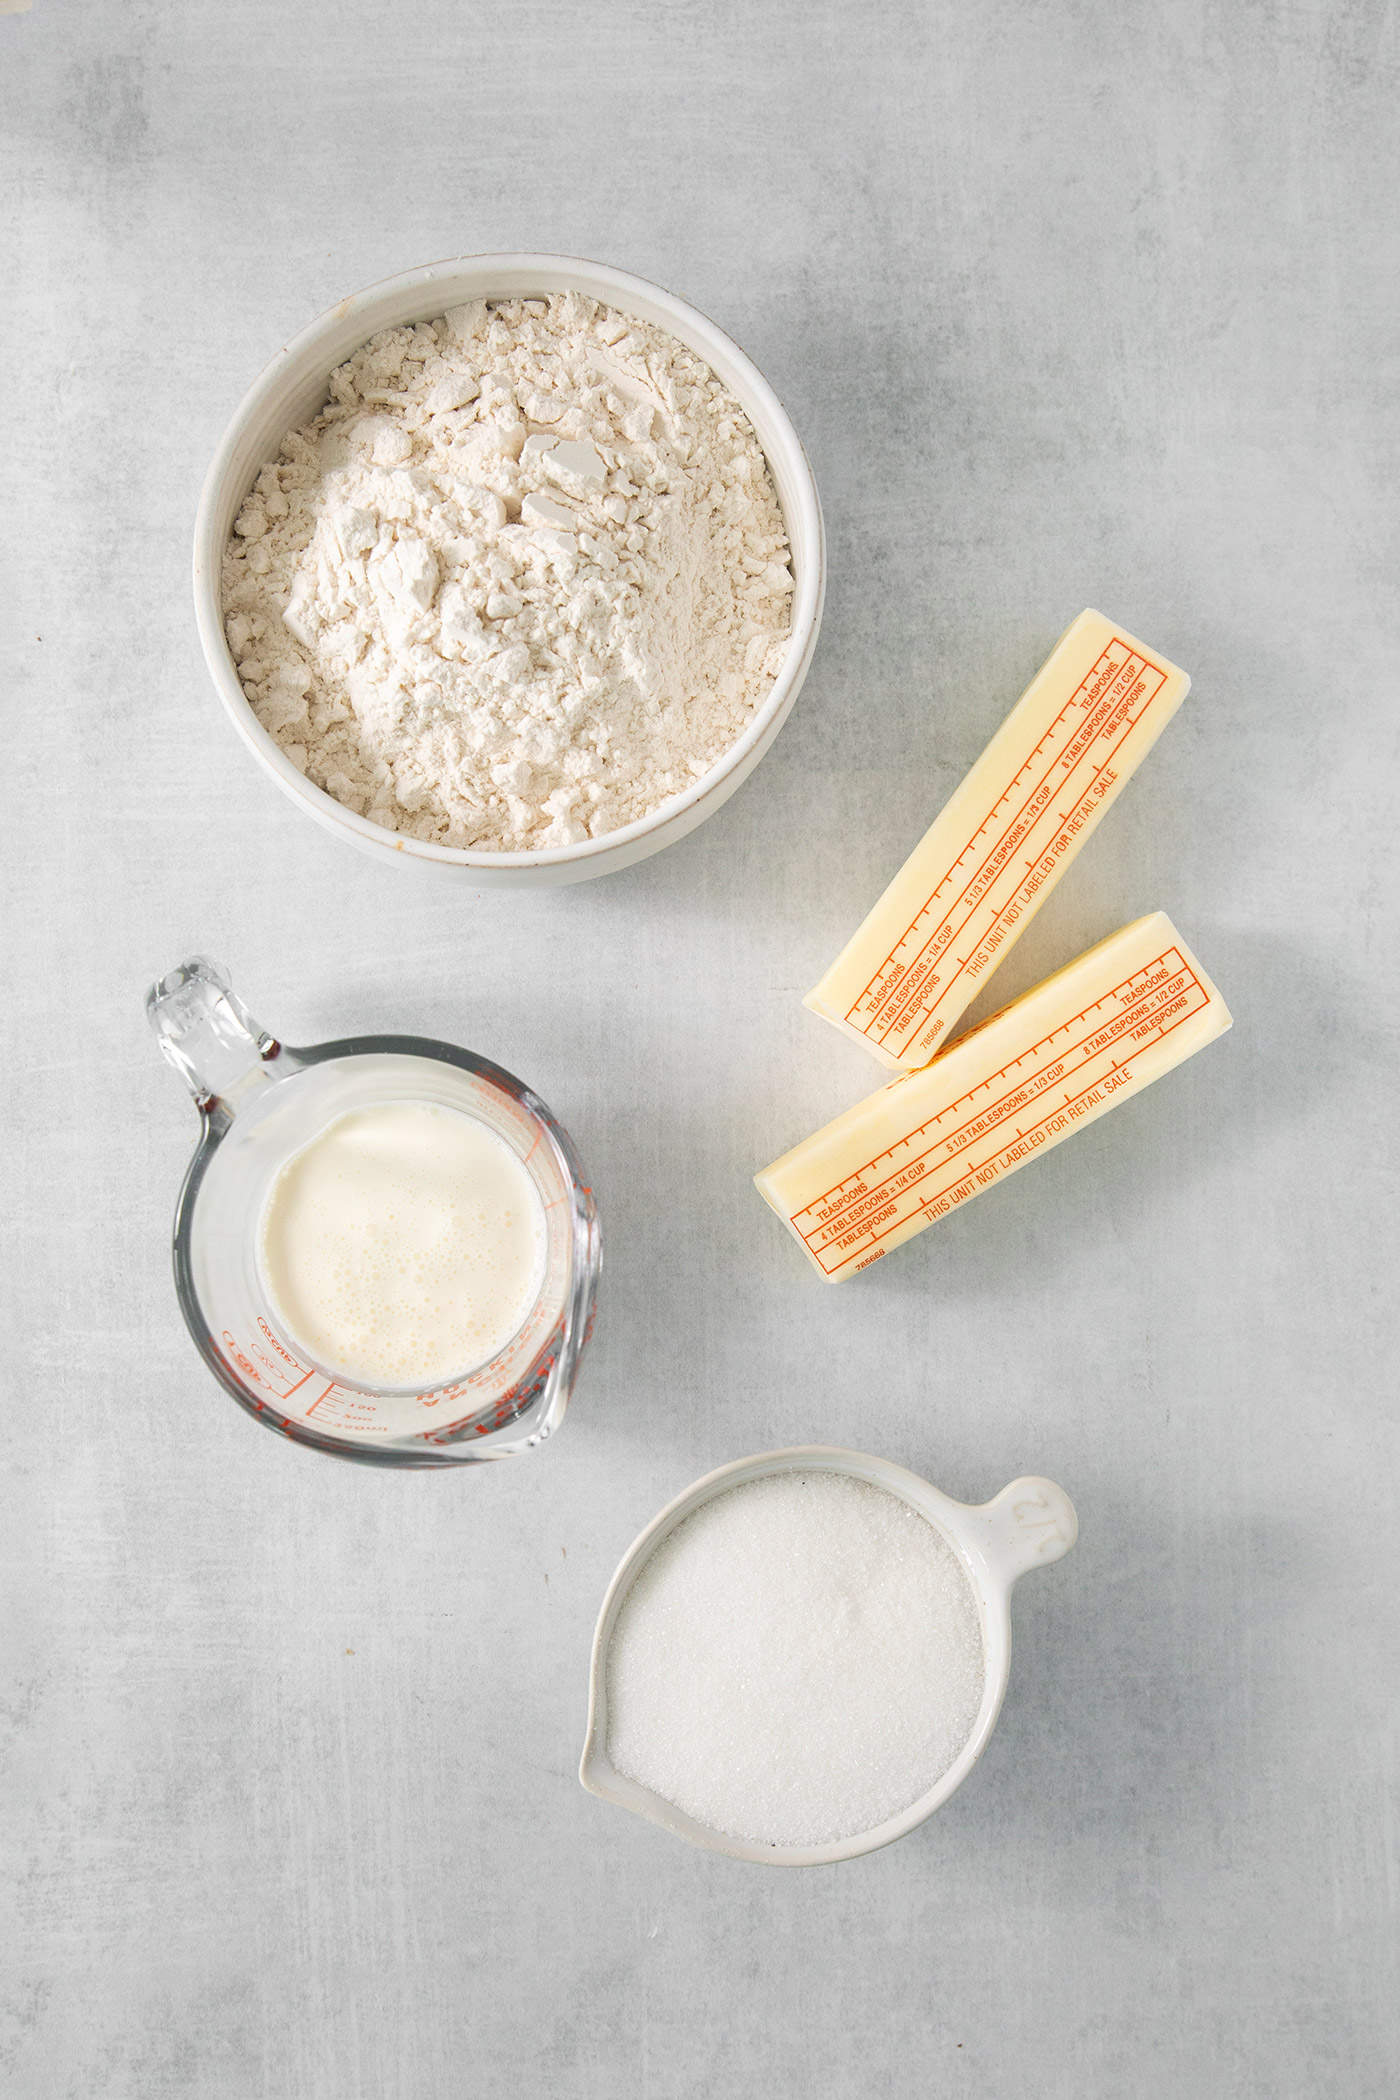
{"x": 956, "y": 1521}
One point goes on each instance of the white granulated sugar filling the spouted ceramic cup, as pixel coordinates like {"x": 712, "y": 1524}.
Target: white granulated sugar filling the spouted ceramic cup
{"x": 797, "y": 1662}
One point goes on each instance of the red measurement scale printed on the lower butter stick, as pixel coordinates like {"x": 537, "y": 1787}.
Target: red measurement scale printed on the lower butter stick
{"x": 870, "y": 1213}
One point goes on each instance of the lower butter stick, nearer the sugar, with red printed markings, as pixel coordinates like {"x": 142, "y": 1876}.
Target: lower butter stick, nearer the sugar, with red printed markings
{"x": 1088, "y": 1038}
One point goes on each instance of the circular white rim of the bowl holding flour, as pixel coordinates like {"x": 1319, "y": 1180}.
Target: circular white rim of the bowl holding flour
{"x": 809, "y": 593}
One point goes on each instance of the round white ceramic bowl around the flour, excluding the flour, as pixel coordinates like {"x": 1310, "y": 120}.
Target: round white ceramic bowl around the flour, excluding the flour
{"x": 297, "y": 385}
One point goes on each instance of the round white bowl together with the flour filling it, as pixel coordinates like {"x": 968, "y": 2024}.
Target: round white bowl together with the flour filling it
{"x": 511, "y": 566}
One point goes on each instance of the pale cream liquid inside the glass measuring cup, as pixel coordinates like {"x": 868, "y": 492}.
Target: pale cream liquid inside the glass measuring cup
{"x": 404, "y": 1246}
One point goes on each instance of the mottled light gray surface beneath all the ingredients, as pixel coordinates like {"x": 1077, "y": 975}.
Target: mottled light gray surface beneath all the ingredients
{"x": 1074, "y": 306}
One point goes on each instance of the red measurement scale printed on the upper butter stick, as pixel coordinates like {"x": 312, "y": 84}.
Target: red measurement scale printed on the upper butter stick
{"x": 1109, "y": 686}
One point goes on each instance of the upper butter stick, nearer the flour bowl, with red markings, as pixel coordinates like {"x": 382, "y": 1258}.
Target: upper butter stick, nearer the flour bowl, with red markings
{"x": 996, "y": 854}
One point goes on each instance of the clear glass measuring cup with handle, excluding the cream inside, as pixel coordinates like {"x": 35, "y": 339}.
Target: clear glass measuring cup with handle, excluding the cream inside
{"x": 259, "y": 1104}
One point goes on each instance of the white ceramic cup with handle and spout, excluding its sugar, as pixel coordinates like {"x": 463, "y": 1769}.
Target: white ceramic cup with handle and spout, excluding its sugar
{"x": 1027, "y": 1526}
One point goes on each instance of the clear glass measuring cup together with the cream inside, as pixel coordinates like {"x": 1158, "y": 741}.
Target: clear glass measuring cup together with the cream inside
{"x": 385, "y": 1246}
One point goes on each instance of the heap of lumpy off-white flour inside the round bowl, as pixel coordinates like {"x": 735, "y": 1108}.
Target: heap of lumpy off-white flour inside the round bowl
{"x": 522, "y": 581}
